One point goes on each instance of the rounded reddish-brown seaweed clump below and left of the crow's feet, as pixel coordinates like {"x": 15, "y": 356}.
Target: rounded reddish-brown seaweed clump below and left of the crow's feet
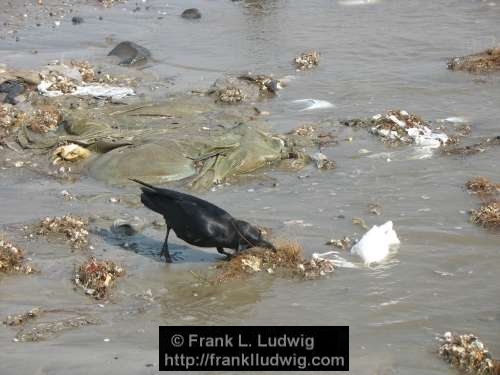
{"x": 97, "y": 277}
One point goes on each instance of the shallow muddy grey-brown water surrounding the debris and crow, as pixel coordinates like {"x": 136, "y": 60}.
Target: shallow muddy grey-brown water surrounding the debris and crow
{"x": 375, "y": 57}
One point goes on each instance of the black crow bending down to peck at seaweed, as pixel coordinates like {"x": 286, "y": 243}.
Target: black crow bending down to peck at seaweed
{"x": 199, "y": 222}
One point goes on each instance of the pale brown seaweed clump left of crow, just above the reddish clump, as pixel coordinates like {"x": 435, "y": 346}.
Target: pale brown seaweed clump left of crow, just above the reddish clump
{"x": 72, "y": 227}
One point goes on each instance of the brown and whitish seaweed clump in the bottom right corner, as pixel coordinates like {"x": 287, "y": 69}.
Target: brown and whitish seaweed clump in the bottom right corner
{"x": 468, "y": 353}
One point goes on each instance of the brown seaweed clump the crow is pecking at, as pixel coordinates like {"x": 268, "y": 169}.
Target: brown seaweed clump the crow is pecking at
{"x": 287, "y": 261}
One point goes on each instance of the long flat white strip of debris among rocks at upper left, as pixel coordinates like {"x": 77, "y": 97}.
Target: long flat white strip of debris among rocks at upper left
{"x": 95, "y": 90}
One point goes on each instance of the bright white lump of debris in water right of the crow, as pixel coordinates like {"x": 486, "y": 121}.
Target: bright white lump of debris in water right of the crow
{"x": 376, "y": 244}
